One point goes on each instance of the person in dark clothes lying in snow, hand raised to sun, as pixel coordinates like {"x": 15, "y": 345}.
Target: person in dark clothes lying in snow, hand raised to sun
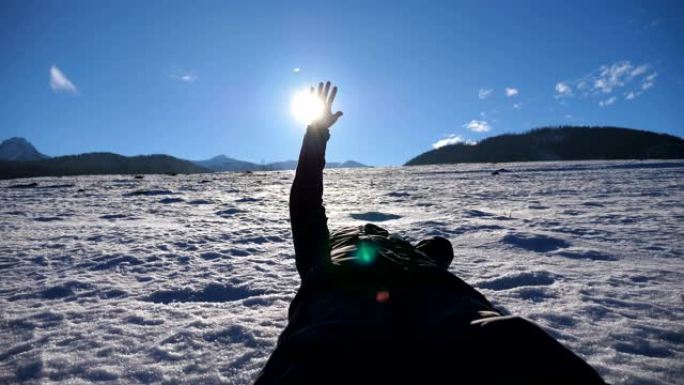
{"x": 375, "y": 309}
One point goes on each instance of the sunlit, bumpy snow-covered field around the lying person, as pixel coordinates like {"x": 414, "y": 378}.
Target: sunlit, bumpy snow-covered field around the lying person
{"x": 180, "y": 279}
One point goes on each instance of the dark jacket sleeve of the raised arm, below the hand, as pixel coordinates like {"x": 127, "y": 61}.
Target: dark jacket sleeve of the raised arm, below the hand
{"x": 307, "y": 214}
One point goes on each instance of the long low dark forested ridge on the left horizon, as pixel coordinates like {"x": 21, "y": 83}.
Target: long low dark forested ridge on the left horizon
{"x": 98, "y": 164}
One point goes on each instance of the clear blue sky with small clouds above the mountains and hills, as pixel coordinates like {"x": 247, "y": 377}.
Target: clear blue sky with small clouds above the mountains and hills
{"x": 197, "y": 79}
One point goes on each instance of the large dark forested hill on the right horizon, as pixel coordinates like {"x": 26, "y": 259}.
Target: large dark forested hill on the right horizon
{"x": 560, "y": 143}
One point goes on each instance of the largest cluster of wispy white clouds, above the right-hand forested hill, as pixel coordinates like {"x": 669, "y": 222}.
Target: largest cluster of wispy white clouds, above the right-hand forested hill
{"x": 622, "y": 76}
